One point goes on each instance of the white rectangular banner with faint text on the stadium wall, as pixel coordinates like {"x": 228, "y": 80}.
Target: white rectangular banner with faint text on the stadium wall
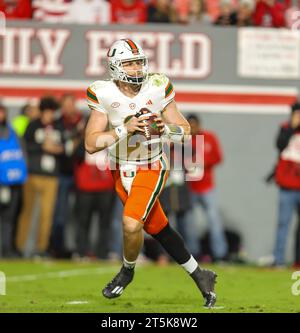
{"x": 268, "y": 53}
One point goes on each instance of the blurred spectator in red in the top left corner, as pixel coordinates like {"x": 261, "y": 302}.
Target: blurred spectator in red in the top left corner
{"x": 16, "y": 9}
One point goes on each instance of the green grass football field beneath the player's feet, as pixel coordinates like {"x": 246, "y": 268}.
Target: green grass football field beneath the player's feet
{"x": 54, "y": 286}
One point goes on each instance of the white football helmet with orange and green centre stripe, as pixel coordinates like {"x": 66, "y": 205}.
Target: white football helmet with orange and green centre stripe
{"x": 125, "y": 50}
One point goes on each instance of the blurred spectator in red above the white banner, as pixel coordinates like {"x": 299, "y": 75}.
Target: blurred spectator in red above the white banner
{"x": 269, "y": 13}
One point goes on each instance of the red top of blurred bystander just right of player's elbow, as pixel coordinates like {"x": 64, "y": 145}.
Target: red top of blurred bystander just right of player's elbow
{"x": 212, "y": 156}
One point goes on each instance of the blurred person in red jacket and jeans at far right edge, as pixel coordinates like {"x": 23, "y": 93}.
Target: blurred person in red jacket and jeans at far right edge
{"x": 287, "y": 176}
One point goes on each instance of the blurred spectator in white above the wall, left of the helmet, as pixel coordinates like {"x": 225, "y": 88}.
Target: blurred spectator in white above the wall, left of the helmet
{"x": 91, "y": 12}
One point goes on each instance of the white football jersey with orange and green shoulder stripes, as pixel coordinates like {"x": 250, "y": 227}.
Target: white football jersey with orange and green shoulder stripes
{"x": 105, "y": 96}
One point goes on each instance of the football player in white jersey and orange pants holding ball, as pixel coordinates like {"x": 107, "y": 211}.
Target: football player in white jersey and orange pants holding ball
{"x": 139, "y": 173}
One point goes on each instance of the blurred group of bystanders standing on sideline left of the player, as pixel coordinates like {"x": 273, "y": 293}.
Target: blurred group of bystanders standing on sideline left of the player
{"x": 42, "y": 163}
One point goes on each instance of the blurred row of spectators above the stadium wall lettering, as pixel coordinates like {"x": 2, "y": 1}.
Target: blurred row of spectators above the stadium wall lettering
{"x": 261, "y": 13}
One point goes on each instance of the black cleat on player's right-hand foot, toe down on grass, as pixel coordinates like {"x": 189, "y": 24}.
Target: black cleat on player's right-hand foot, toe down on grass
{"x": 206, "y": 280}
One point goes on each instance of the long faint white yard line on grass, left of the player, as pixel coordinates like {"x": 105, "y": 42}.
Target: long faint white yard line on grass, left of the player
{"x": 61, "y": 274}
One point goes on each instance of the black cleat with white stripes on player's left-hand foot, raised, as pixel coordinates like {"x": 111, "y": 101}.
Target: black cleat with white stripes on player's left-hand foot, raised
{"x": 117, "y": 285}
